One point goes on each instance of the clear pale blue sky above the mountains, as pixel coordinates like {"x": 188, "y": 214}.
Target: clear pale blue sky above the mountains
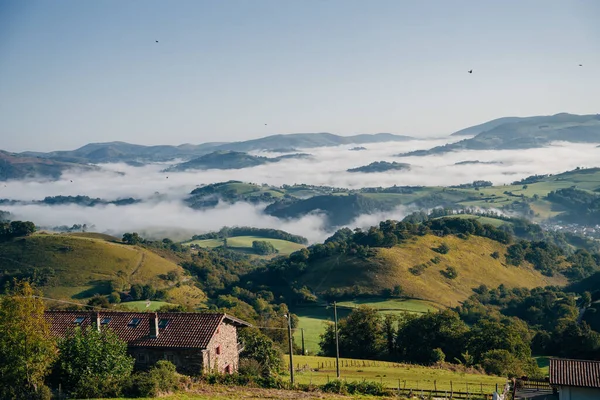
{"x": 73, "y": 72}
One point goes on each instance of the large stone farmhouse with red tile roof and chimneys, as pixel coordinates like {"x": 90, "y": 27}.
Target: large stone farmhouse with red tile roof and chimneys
{"x": 194, "y": 342}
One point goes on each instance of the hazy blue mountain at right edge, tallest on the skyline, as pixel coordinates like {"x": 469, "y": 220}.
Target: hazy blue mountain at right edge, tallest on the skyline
{"x": 527, "y": 133}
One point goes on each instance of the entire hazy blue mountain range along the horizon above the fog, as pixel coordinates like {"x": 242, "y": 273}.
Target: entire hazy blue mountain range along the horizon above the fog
{"x": 499, "y": 134}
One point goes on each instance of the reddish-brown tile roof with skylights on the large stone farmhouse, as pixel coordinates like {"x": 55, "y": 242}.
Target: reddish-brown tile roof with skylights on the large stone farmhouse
{"x": 183, "y": 330}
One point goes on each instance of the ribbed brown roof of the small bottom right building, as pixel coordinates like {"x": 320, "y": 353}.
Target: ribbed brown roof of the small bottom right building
{"x": 583, "y": 373}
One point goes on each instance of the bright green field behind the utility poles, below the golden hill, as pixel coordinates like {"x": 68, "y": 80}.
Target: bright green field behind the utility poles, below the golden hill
{"x": 313, "y": 319}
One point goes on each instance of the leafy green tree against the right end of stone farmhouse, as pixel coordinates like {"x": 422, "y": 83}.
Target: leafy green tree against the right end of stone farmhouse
{"x": 261, "y": 348}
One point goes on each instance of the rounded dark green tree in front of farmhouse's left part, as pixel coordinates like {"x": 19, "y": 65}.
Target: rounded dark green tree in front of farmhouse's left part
{"x": 93, "y": 363}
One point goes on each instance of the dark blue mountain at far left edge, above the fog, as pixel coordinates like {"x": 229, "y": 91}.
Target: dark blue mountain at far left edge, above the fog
{"x": 17, "y": 166}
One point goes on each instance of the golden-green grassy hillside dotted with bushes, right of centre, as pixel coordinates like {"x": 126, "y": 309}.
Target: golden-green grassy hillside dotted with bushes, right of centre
{"x": 390, "y": 267}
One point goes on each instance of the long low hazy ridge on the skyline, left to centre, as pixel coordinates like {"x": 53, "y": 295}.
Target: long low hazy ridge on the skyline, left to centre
{"x": 127, "y": 152}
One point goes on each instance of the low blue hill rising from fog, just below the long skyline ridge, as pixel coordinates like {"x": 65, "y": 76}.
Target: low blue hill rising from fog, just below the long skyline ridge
{"x": 230, "y": 160}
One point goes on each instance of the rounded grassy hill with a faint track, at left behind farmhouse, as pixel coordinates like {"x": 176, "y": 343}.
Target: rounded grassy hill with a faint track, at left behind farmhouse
{"x": 83, "y": 265}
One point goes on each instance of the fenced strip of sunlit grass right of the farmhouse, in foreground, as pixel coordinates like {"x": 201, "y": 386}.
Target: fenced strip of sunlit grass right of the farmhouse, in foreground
{"x": 318, "y": 370}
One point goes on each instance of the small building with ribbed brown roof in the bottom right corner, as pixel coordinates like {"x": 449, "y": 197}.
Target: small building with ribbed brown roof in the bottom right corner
{"x": 575, "y": 379}
